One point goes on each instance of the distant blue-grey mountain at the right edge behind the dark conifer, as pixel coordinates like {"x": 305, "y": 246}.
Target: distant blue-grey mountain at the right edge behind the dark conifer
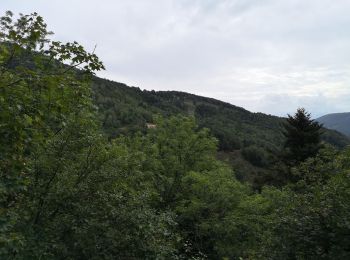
{"x": 337, "y": 121}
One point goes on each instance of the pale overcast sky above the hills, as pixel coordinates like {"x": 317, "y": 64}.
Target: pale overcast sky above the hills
{"x": 268, "y": 56}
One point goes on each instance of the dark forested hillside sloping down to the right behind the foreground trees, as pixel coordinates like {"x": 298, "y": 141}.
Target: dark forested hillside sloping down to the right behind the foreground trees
{"x": 251, "y": 142}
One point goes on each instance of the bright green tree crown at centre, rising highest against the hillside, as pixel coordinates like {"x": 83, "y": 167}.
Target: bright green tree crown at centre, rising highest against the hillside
{"x": 180, "y": 150}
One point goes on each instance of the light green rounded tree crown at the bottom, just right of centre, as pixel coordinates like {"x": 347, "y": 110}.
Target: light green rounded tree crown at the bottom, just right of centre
{"x": 208, "y": 210}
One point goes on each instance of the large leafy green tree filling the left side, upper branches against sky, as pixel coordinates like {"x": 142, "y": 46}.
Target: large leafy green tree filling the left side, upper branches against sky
{"x": 65, "y": 191}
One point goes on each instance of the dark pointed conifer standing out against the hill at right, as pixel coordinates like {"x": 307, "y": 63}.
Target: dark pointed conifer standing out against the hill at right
{"x": 303, "y": 137}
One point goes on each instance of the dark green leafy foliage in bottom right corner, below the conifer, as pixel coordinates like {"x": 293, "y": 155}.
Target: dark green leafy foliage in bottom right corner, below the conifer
{"x": 310, "y": 219}
